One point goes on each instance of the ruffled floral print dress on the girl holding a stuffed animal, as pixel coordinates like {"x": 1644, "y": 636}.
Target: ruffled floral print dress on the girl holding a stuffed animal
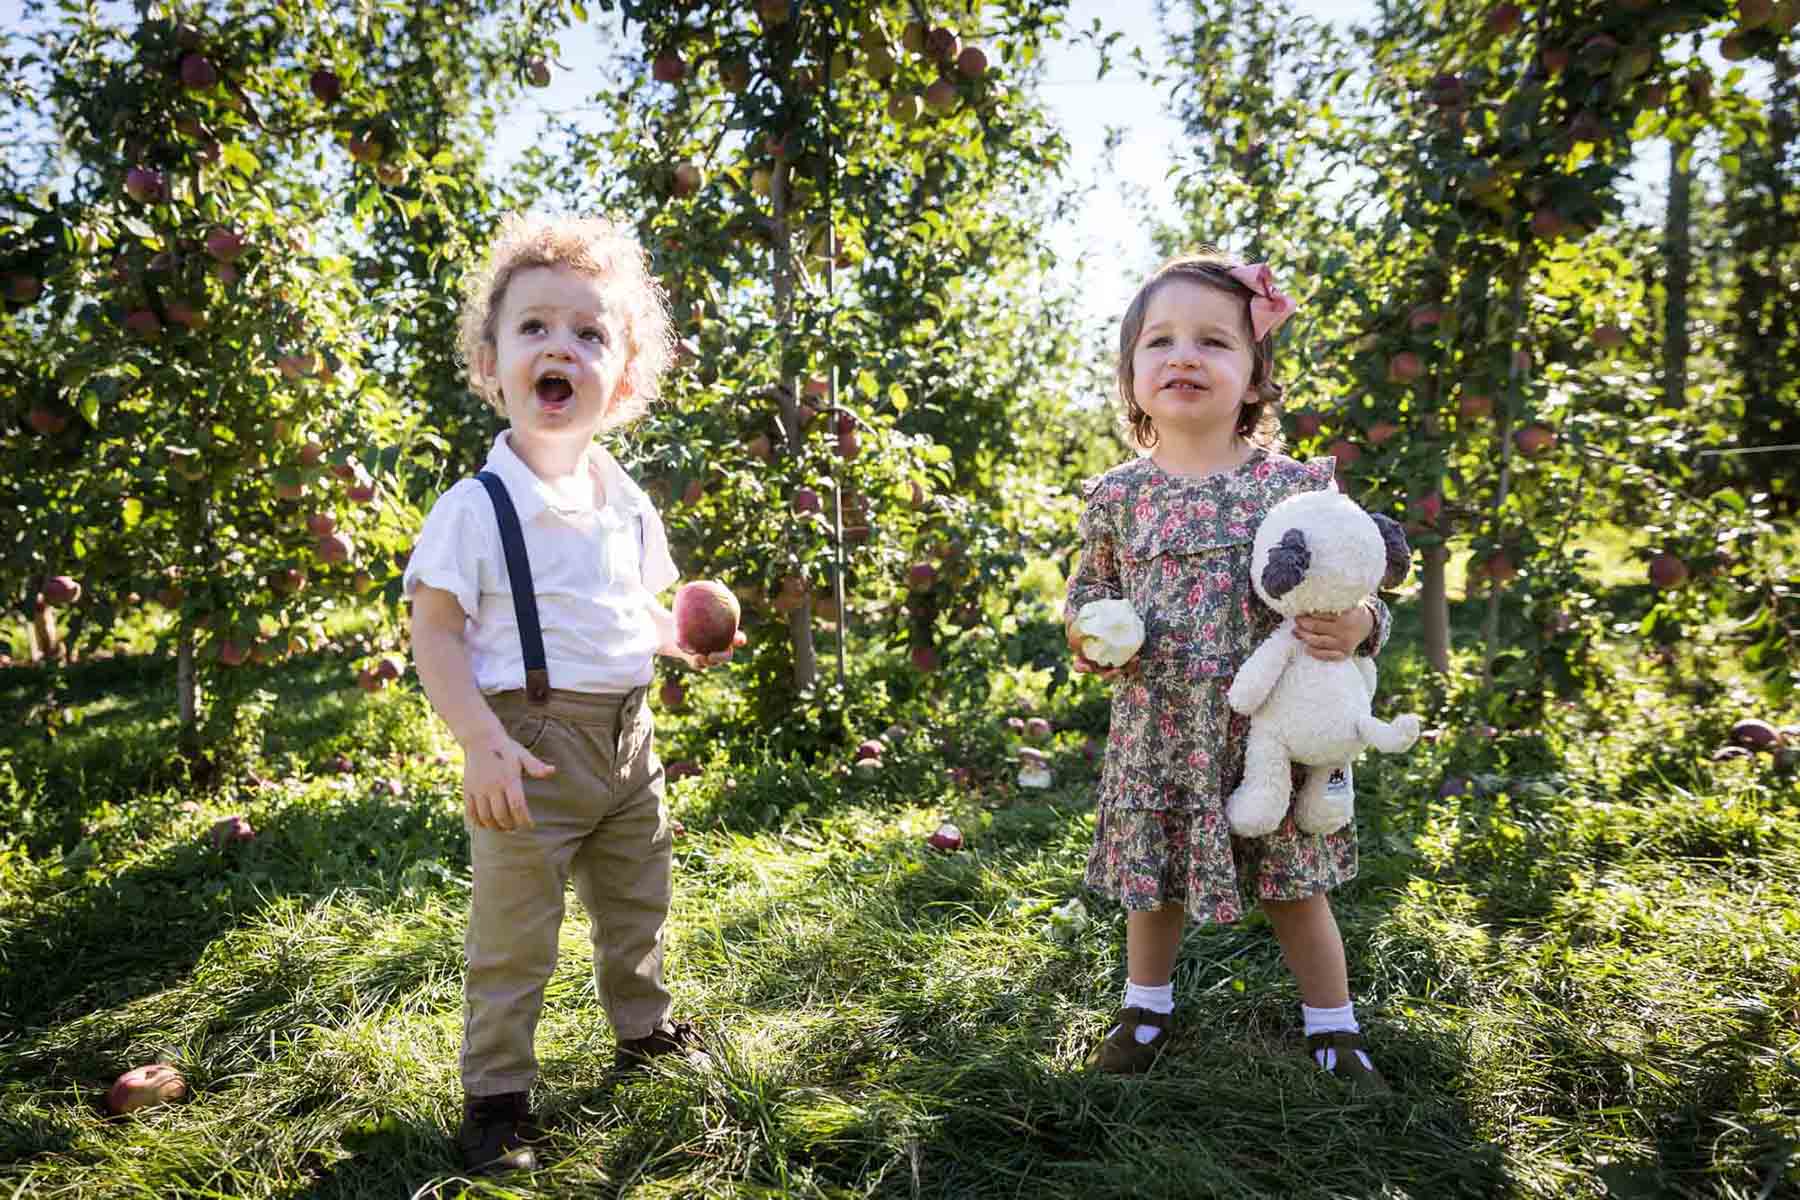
{"x": 1180, "y": 550}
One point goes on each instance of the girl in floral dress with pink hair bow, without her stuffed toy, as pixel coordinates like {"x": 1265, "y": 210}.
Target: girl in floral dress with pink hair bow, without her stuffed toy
{"x": 1171, "y": 533}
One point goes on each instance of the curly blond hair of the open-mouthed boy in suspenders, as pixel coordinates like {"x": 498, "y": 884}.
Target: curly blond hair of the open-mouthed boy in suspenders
{"x": 589, "y": 246}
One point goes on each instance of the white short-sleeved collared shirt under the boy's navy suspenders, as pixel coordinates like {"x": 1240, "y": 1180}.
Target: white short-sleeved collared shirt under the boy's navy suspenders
{"x": 598, "y": 560}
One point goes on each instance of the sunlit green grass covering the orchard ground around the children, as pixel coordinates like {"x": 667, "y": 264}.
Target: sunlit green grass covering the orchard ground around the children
{"x": 1583, "y": 980}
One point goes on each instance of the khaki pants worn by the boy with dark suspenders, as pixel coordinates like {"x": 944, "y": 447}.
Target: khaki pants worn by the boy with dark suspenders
{"x": 600, "y": 821}
